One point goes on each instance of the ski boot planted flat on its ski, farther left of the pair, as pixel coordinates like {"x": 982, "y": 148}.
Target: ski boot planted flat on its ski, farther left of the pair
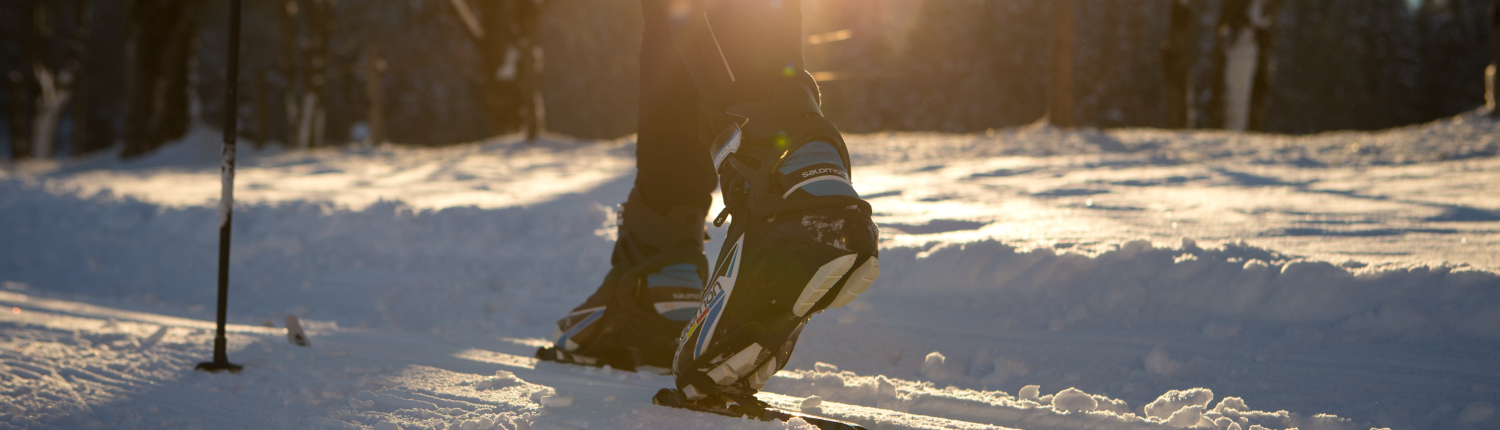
{"x": 649, "y": 296}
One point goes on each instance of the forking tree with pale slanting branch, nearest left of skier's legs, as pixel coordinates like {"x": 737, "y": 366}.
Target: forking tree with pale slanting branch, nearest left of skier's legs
{"x": 506, "y": 37}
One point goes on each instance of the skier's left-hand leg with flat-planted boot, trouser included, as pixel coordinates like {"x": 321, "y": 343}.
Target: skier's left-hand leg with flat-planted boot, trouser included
{"x": 658, "y": 267}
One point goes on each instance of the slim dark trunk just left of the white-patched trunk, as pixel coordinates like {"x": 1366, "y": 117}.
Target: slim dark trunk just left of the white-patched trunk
{"x": 1177, "y": 65}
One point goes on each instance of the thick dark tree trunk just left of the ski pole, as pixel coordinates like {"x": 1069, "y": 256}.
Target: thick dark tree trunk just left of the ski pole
{"x": 157, "y": 107}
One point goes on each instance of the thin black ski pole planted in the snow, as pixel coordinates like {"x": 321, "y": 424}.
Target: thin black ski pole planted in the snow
{"x": 221, "y": 360}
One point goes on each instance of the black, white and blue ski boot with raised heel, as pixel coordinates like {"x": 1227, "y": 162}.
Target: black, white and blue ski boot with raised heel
{"x": 802, "y": 242}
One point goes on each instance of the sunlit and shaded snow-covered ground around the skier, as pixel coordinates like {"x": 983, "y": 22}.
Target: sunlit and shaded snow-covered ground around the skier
{"x": 1031, "y": 279}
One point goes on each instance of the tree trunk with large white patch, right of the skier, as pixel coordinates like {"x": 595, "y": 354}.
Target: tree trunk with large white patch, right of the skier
{"x": 1243, "y": 64}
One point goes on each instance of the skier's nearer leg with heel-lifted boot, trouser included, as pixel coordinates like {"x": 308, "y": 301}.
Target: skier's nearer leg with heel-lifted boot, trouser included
{"x": 802, "y": 239}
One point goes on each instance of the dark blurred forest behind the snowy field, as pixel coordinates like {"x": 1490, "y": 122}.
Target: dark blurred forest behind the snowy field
{"x": 86, "y": 76}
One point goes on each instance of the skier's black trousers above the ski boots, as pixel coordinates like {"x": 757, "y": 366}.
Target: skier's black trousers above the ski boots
{"x": 716, "y": 53}
